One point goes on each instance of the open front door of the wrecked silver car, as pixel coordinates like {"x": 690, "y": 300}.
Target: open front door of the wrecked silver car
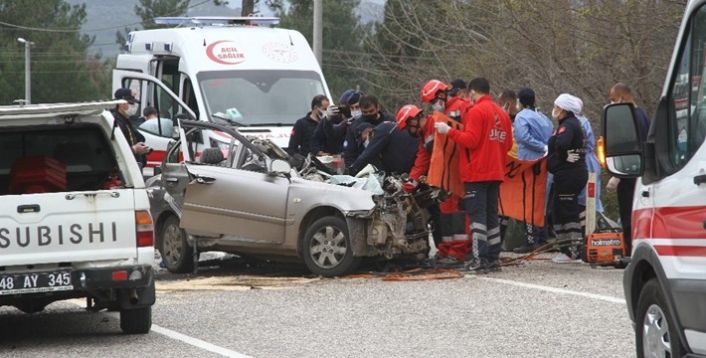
{"x": 241, "y": 204}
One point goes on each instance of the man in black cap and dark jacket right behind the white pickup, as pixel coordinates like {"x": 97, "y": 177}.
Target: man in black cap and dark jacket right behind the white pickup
{"x": 122, "y": 114}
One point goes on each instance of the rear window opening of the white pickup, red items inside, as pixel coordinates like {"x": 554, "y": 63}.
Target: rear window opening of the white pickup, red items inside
{"x": 66, "y": 158}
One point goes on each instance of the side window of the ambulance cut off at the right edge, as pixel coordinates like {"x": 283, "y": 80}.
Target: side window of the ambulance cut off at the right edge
{"x": 688, "y": 127}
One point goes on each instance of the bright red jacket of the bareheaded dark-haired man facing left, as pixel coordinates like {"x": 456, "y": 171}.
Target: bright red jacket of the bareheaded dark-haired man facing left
{"x": 486, "y": 138}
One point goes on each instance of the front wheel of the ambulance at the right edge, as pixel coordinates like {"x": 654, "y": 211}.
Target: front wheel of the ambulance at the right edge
{"x": 655, "y": 331}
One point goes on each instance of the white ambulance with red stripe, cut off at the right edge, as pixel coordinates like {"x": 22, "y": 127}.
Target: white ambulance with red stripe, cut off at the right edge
{"x": 665, "y": 283}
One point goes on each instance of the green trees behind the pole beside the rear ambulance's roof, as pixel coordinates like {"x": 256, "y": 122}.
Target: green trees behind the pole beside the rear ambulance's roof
{"x": 342, "y": 36}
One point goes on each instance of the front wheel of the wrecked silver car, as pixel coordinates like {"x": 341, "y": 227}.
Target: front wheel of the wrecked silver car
{"x": 327, "y": 248}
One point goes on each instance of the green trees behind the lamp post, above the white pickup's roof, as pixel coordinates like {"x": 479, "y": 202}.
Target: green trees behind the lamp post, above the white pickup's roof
{"x": 61, "y": 71}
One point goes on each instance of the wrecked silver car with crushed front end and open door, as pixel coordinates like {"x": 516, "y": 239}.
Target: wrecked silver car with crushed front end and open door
{"x": 245, "y": 198}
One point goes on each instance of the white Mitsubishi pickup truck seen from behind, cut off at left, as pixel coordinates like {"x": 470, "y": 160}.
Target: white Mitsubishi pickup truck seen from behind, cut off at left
{"x": 74, "y": 214}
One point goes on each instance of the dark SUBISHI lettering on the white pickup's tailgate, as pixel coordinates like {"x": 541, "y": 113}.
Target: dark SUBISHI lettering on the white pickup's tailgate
{"x": 65, "y": 234}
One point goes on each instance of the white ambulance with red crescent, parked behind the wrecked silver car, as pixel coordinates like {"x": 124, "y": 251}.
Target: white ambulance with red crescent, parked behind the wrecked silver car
{"x": 239, "y": 70}
